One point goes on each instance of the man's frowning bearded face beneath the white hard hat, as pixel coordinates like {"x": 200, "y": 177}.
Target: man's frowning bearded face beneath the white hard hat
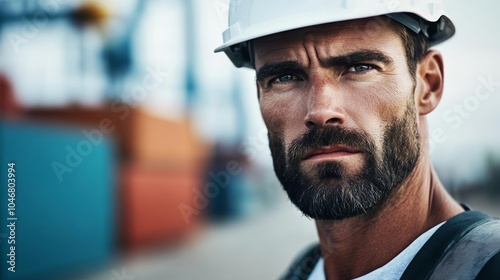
{"x": 338, "y": 102}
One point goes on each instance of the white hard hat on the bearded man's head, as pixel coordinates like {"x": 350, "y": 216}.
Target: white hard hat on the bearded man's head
{"x": 251, "y": 19}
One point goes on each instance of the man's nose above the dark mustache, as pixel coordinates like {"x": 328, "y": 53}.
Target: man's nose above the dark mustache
{"x": 324, "y": 107}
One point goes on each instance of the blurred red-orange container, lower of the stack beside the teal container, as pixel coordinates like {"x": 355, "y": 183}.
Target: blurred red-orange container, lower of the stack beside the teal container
{"x": 150, "y": 204}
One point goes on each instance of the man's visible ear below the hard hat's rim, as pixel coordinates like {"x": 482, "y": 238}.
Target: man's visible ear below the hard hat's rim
{"x": 430, "y": 82}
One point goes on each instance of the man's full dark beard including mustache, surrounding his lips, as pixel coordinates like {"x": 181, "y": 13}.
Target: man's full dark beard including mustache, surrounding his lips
{"x": 328, "y": 193}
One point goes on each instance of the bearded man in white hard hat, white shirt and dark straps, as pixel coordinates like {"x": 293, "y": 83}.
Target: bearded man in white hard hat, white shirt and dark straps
{"x": 344, "y": 89}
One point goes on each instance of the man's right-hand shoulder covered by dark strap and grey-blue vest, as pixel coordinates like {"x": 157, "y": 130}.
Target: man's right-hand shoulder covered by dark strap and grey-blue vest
{"x": 463, "y": 246}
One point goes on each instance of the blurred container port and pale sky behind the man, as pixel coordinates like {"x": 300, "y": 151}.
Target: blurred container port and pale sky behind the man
{"x": 141, "y": 154}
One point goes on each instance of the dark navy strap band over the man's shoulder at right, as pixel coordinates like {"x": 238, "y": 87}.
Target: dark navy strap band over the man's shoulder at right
{"x": 440, "y": 243}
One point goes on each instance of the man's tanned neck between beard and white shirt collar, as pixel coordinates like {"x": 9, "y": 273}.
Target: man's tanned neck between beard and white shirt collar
{"x": 356, "y": 246}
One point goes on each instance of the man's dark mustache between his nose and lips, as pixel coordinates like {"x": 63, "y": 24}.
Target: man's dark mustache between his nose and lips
{"x": 327, "y": 136}
